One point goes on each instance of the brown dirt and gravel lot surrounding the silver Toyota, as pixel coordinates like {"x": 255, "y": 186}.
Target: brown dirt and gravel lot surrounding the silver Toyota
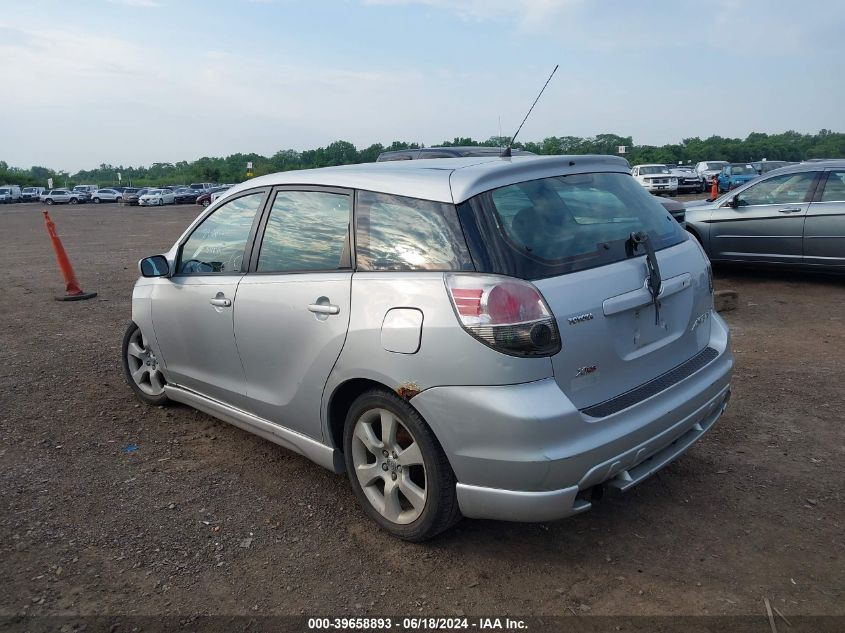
{"x": 205, "y": 518}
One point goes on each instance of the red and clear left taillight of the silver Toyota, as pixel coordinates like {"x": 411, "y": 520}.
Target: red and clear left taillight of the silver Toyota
{"x": 509, "y": 315}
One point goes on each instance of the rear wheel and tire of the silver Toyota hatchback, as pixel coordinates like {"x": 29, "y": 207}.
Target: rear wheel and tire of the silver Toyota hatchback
{"x": 437, "y": 510}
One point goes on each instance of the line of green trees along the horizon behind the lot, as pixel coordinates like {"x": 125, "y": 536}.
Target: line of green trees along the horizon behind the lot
{"x": 791, "y": 146}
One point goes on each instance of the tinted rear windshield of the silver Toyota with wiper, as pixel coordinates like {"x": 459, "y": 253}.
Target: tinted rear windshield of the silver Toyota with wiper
{"x": 552, "y": 226}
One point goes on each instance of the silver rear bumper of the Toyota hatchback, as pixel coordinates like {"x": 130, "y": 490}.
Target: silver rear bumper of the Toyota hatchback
{"x": 524, "y": 452}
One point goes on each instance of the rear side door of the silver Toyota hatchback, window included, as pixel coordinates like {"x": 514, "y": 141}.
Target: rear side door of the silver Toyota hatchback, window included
{"x": 293, "y": 305}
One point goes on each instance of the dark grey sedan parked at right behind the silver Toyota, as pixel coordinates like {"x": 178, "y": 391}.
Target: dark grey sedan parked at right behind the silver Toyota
{"x": 793, "y": 216}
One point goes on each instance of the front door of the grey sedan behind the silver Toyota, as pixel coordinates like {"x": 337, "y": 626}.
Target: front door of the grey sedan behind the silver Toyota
{"x": 767, "y": 223}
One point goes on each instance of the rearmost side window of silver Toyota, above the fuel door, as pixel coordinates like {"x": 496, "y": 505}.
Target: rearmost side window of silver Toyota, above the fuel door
{"x": 399, "y": 233}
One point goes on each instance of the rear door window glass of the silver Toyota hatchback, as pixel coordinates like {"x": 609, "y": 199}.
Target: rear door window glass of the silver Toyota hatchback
{"x": 306, "y": 230}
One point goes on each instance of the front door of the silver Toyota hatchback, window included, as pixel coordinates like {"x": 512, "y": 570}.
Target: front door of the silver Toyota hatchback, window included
{"x": 192, "y": 310}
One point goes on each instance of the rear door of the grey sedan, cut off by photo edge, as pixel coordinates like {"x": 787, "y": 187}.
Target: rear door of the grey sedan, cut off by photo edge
{"x": 824, "y": 228}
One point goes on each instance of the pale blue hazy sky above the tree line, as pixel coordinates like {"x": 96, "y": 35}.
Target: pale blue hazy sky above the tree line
{"x": 132, "y": 82}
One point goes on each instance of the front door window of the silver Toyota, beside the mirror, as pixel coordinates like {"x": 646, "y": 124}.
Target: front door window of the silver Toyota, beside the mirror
{"x": 217, "y": 244}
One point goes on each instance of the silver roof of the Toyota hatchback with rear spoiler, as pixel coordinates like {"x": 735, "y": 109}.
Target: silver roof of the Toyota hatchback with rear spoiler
{"x": 440, "y": 179}
